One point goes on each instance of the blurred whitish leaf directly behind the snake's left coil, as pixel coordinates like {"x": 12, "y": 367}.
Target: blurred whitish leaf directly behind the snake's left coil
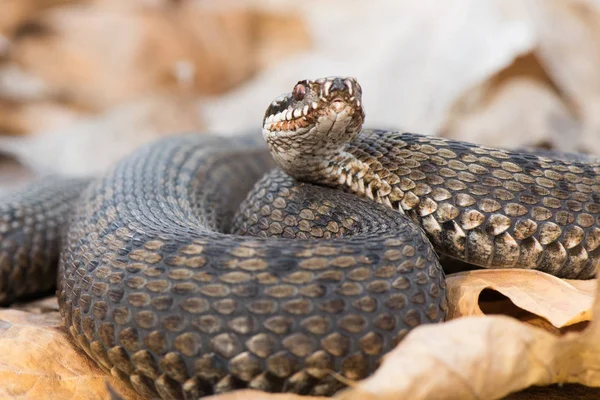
{"x": 89, "y": 146}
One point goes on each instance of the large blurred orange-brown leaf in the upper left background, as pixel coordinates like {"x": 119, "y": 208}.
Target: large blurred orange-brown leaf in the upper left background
{"x": 188, "y": 47}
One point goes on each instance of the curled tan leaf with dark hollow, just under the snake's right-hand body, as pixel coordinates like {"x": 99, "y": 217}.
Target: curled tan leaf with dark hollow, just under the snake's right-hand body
{"x": 560, "y": 302}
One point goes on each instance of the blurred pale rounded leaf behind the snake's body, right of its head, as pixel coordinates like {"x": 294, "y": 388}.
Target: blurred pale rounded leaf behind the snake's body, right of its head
{"x": 520, "y": 112}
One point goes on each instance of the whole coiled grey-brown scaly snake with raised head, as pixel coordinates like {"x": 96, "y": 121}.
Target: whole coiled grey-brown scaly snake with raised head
{"x": 289, "y": 261}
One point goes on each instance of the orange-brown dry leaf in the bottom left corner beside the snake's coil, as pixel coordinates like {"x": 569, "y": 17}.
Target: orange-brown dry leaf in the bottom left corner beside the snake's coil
{"x": 38, "y": 361}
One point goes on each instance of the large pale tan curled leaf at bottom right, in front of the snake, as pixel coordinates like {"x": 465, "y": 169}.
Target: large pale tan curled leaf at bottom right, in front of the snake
{"x": 468, "y": 358}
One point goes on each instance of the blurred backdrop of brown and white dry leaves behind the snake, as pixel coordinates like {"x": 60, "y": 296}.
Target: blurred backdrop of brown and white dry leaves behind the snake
{"x": 83, "y": 83}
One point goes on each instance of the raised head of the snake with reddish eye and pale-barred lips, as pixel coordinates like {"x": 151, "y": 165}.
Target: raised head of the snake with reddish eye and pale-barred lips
{"x": 309, "y": 126}
